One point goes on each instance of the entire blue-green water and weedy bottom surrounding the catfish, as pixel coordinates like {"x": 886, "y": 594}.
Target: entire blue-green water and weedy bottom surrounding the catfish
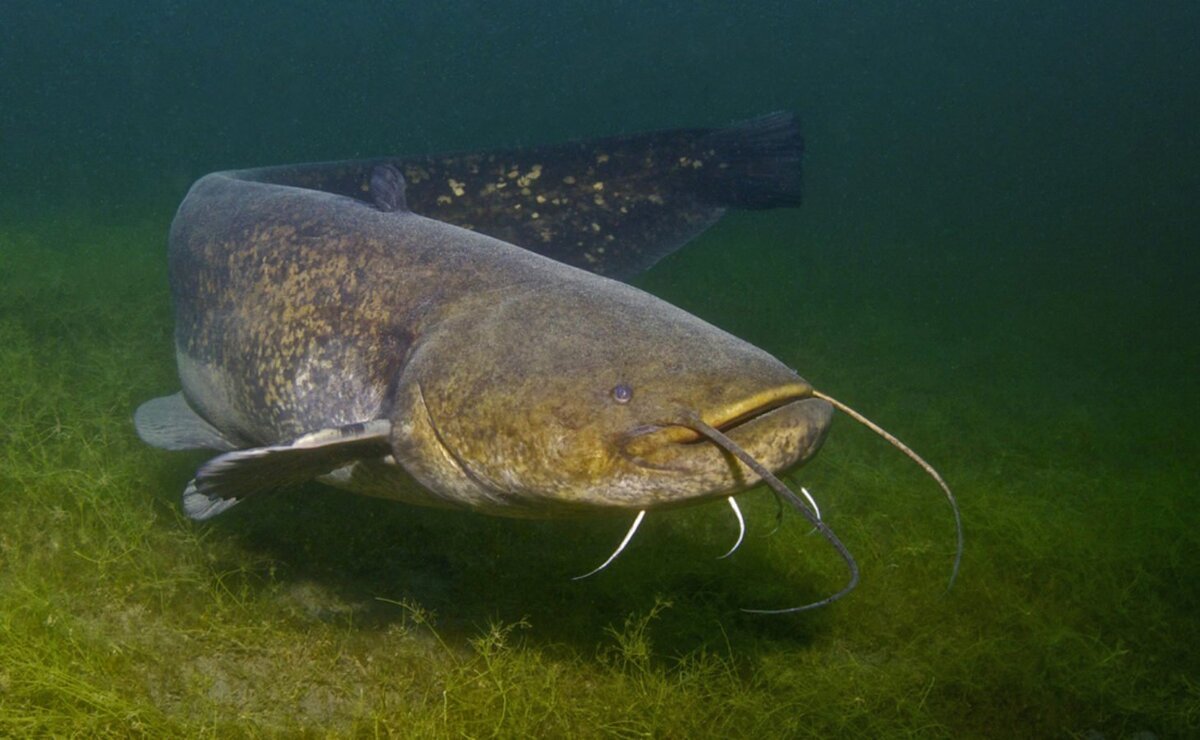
{"x": 997, "y": 261}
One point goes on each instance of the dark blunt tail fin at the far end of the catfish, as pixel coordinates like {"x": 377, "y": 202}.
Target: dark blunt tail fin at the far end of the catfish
{"x": 759, "y": 164}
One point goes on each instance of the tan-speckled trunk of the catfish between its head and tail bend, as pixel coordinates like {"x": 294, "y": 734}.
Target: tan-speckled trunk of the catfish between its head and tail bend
{"x": 286, "y": 320}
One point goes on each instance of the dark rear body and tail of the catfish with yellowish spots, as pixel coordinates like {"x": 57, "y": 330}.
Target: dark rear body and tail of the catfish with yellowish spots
{"x": 614, "y": 206}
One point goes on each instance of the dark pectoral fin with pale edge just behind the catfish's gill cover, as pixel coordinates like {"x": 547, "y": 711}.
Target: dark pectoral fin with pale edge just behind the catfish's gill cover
{"x": 227, "y": 479}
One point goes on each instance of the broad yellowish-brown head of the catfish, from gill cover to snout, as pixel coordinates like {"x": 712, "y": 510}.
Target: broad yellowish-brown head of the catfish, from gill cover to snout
{"x": 580, "y": 398}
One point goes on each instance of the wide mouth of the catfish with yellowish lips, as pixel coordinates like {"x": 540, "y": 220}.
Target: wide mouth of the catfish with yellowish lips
{"x": 664, "y": 446}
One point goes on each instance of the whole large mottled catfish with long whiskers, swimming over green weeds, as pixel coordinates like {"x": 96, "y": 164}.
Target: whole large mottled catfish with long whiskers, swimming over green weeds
{"x": 448, "y": 332}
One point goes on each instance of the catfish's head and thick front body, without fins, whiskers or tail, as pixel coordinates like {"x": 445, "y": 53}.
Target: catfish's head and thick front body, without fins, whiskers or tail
{"x": 299, "y": 311}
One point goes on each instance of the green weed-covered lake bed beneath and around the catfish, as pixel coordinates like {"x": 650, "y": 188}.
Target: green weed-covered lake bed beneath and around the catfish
{"x": 315, "y": 612}
